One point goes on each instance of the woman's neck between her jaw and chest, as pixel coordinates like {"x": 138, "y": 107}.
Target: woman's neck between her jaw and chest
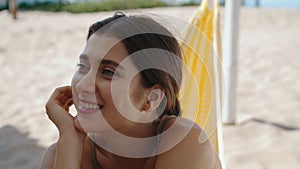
{"x": 131, "y": 142}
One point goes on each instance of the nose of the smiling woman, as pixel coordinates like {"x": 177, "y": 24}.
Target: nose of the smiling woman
{"x": 86, "y": 84}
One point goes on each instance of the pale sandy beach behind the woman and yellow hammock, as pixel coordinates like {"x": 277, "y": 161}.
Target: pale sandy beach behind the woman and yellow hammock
{"x": 38, "y": 53}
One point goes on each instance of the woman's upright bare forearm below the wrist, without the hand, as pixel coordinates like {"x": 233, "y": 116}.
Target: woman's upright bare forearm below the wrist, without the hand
{"x": 68, "y": 152}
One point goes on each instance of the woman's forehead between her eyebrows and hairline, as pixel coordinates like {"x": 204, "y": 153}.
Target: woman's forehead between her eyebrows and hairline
{"x": 105, "y": 46}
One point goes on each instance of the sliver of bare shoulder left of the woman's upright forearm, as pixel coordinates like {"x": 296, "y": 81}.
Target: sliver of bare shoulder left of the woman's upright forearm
{"x": 48, "y": 158}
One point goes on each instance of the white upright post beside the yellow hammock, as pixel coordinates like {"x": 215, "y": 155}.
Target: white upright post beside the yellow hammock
{"x": 230, "y": 51}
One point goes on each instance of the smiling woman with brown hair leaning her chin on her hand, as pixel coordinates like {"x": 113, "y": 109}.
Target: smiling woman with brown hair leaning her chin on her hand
{"x": 125, "y": 91}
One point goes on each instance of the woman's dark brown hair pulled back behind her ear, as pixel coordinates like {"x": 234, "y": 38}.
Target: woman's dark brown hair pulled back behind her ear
{"x": 138, "y": 33}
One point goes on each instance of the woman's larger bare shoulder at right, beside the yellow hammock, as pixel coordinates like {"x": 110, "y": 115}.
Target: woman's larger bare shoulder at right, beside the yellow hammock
{"x": 184, "y": 145}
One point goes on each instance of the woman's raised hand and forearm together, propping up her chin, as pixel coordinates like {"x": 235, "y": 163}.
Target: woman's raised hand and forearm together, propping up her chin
{"x": 71, "y": 137}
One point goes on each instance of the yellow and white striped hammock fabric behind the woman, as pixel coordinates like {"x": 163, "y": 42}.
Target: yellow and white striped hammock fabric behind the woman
{"x": 202, "y": 92}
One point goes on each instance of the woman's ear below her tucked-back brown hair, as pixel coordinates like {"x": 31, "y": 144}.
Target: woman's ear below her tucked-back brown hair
{"x": 154, "y": 99}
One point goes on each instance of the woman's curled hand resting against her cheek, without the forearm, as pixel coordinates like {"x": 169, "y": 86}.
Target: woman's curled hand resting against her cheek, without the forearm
{"x": 57, "y": 109}
